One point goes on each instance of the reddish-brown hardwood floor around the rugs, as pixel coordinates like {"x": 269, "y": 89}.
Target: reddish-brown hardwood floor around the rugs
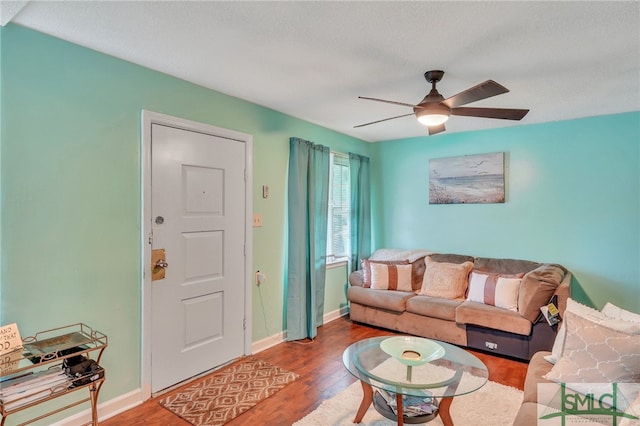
{"x": 322, "y": 375}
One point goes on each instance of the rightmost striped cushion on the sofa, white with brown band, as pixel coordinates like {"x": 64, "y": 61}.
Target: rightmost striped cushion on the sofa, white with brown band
{"x": 497, "y": 290}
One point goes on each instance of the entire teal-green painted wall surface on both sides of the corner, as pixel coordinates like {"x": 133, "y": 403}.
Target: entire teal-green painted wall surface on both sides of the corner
{"x": 70, "y": 194}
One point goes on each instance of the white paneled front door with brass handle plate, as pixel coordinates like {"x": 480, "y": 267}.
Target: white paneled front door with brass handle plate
{"x": 198, "y": 212}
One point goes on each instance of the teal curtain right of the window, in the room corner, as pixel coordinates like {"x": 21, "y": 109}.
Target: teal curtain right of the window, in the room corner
{"x": 360, "y": 209}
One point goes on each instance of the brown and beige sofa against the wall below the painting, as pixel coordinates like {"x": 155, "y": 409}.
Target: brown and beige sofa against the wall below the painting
{"x": 518, "y": 334}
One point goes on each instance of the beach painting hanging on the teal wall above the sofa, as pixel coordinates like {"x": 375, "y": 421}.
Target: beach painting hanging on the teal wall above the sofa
{"x": 467, "y": 179}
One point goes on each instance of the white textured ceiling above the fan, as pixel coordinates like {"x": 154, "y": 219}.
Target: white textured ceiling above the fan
{"x": 312, "y": 60}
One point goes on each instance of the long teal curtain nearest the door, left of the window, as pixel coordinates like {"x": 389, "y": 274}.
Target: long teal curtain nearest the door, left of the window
{"x": 308, "y": 197}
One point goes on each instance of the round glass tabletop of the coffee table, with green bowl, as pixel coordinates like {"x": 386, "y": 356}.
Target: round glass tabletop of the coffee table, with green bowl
{"x": 446, "y": 372}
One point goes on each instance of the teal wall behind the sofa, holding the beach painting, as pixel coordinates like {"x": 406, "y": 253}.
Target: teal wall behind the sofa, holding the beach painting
{"x": 572, "y": 197}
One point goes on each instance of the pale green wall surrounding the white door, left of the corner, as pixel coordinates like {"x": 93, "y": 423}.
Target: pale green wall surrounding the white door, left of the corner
{"x": 70, "y": 194}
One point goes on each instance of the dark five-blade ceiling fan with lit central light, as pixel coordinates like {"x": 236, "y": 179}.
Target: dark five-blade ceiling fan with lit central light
{"x": 434, "y": 110}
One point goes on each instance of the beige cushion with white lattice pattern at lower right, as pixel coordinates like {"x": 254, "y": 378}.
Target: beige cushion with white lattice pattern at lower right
{"x": 594, "y": 353}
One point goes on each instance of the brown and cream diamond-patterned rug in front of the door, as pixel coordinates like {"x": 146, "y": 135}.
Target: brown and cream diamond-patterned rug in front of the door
{"x": 228, "y": 393}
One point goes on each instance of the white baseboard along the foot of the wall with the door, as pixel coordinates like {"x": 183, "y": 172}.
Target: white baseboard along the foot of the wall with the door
{"x": 134, "y": 398}
